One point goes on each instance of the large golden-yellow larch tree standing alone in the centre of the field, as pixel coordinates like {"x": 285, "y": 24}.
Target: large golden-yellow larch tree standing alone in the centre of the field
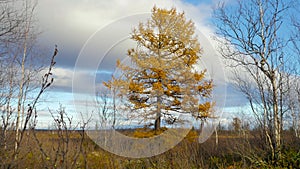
{"x": 163, "y": 80}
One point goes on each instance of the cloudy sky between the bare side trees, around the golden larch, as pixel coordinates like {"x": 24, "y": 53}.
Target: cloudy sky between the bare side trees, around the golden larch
{"x": 92, "y": 34}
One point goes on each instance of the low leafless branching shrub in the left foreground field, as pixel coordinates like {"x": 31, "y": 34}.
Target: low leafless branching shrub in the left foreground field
{"x": 68, "y": 145}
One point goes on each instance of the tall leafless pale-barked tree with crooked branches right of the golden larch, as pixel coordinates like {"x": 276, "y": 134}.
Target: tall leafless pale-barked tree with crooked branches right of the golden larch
{"x": 253, "y": 43}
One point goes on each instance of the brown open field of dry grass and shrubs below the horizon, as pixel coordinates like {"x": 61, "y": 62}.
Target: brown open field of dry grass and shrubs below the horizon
{"x": 73, "y": 149}
